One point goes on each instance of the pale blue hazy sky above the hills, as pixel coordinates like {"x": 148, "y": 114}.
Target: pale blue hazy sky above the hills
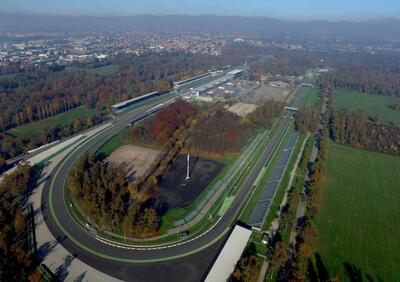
{"x": 287, "y": 9}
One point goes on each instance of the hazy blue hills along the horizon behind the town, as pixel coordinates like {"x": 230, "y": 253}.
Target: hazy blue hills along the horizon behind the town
{"x": 380, "y": 28}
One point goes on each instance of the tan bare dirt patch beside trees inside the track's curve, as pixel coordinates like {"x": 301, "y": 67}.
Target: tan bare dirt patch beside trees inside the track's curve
{"x": 136, "y": 160}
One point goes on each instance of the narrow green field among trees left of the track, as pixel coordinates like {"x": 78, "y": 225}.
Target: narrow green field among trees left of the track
{"x": 26, "y": 131}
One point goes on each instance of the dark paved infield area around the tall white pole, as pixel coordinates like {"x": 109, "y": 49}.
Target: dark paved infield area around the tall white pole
{"x": 175, "y": 191}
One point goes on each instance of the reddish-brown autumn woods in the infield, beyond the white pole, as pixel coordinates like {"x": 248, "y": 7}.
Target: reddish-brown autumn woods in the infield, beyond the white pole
{"x": 216, "y": 133}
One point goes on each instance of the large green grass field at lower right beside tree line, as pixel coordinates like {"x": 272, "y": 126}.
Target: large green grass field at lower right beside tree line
{"x": 359, "y": 216}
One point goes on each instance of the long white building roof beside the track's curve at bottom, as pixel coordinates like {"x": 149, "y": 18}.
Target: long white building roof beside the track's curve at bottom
{"x": 230, "y": 255}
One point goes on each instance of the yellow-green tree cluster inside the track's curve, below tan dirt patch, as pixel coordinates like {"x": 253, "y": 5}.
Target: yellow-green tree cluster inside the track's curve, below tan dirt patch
{"x": 103, "y": 194}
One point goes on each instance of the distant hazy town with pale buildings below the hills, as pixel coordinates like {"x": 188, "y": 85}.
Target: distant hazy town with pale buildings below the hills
{"x": 67, "y": 48}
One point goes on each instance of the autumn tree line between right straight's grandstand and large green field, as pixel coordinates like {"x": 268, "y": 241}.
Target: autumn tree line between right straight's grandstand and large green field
{"x": 300, "y": 262}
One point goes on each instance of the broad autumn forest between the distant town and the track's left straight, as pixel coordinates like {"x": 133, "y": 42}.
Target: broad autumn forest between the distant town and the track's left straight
{"x": 47, "y": 91}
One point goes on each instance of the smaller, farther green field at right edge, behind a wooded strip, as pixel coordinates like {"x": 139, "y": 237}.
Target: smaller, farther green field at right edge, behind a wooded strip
{"x": 371, "y": 104}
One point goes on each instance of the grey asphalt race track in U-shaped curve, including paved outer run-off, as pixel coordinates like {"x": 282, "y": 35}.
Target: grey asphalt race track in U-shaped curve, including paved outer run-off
{"x": 190, "y": 260}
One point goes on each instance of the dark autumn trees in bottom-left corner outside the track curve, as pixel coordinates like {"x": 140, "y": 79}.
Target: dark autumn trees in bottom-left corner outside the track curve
{"x": 16, "y": 262}
